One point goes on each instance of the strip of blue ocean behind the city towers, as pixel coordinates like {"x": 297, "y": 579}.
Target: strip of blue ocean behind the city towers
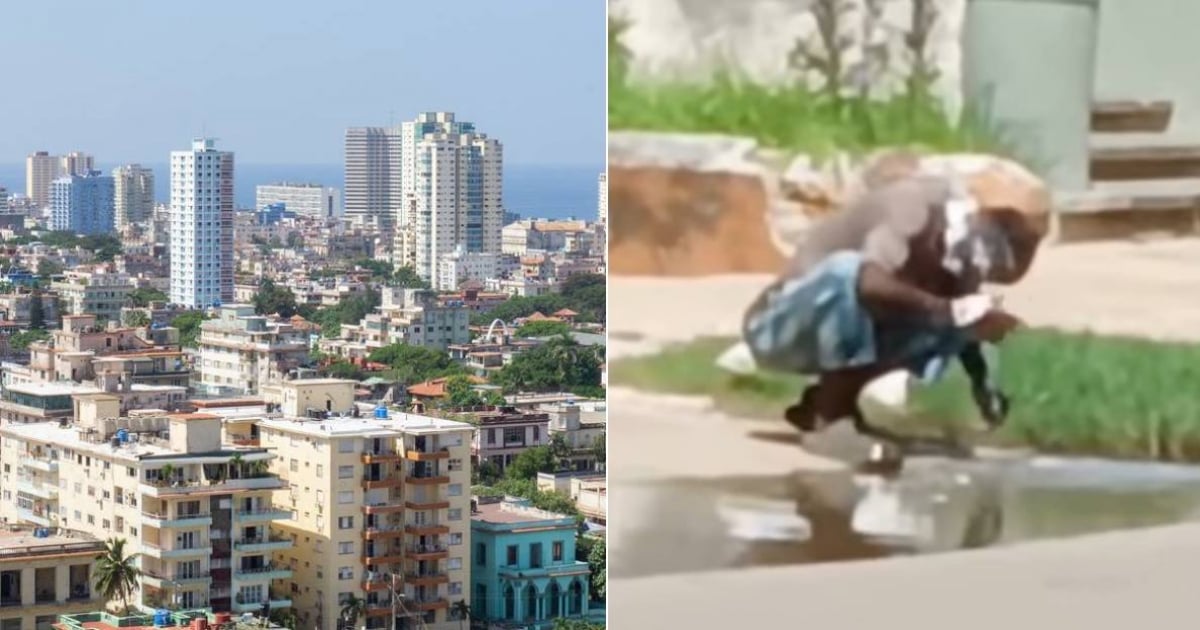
{"x": 530, "y": 190}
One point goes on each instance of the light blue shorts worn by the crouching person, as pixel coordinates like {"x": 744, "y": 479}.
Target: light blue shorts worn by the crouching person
{"x": 815, "y": 323}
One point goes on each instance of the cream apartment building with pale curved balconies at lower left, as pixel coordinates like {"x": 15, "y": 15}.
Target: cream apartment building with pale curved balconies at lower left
{"x": 197, "y": 511}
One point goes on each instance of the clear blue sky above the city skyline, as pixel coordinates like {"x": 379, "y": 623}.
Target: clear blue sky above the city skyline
{"x": 278, "y": 82}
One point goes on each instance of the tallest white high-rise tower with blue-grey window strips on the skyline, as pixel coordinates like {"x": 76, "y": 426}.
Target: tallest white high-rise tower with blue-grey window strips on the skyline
{"x": 453, "y": 185}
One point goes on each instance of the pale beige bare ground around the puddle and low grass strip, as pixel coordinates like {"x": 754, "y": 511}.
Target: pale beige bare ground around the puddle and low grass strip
{"x": 1106, "y": 581}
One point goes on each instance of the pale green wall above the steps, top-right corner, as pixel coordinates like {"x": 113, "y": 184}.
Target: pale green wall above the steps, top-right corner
{"x": 1148, "y": 51}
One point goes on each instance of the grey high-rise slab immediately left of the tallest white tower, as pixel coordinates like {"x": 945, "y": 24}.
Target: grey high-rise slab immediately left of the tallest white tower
{"x": 374, "y": 176}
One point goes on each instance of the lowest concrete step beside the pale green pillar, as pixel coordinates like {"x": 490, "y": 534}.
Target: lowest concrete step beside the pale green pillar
{"x": 1130, "y": 211}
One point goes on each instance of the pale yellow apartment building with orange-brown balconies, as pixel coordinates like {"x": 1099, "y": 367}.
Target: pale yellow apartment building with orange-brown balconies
{"x": 380, "y": 507}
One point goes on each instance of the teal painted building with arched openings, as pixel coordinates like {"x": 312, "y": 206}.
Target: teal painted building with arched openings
{"x": 524, "y": 569}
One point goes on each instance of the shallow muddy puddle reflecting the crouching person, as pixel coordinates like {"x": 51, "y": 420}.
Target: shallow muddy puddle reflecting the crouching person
{"x": 933, "y": 506}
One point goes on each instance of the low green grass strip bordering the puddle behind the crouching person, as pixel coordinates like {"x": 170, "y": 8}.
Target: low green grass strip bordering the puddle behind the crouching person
{"x": 1072, "y": 394}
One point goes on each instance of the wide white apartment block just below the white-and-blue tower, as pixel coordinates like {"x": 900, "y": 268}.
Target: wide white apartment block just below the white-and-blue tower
{"x": 243, "y": 352}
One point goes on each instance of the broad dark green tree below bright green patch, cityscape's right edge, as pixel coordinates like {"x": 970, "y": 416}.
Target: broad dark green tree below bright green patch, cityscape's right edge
{"x": 561, "y": 364}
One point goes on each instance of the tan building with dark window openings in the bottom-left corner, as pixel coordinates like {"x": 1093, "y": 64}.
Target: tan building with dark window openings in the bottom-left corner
{"x": 45, "y": 577}
